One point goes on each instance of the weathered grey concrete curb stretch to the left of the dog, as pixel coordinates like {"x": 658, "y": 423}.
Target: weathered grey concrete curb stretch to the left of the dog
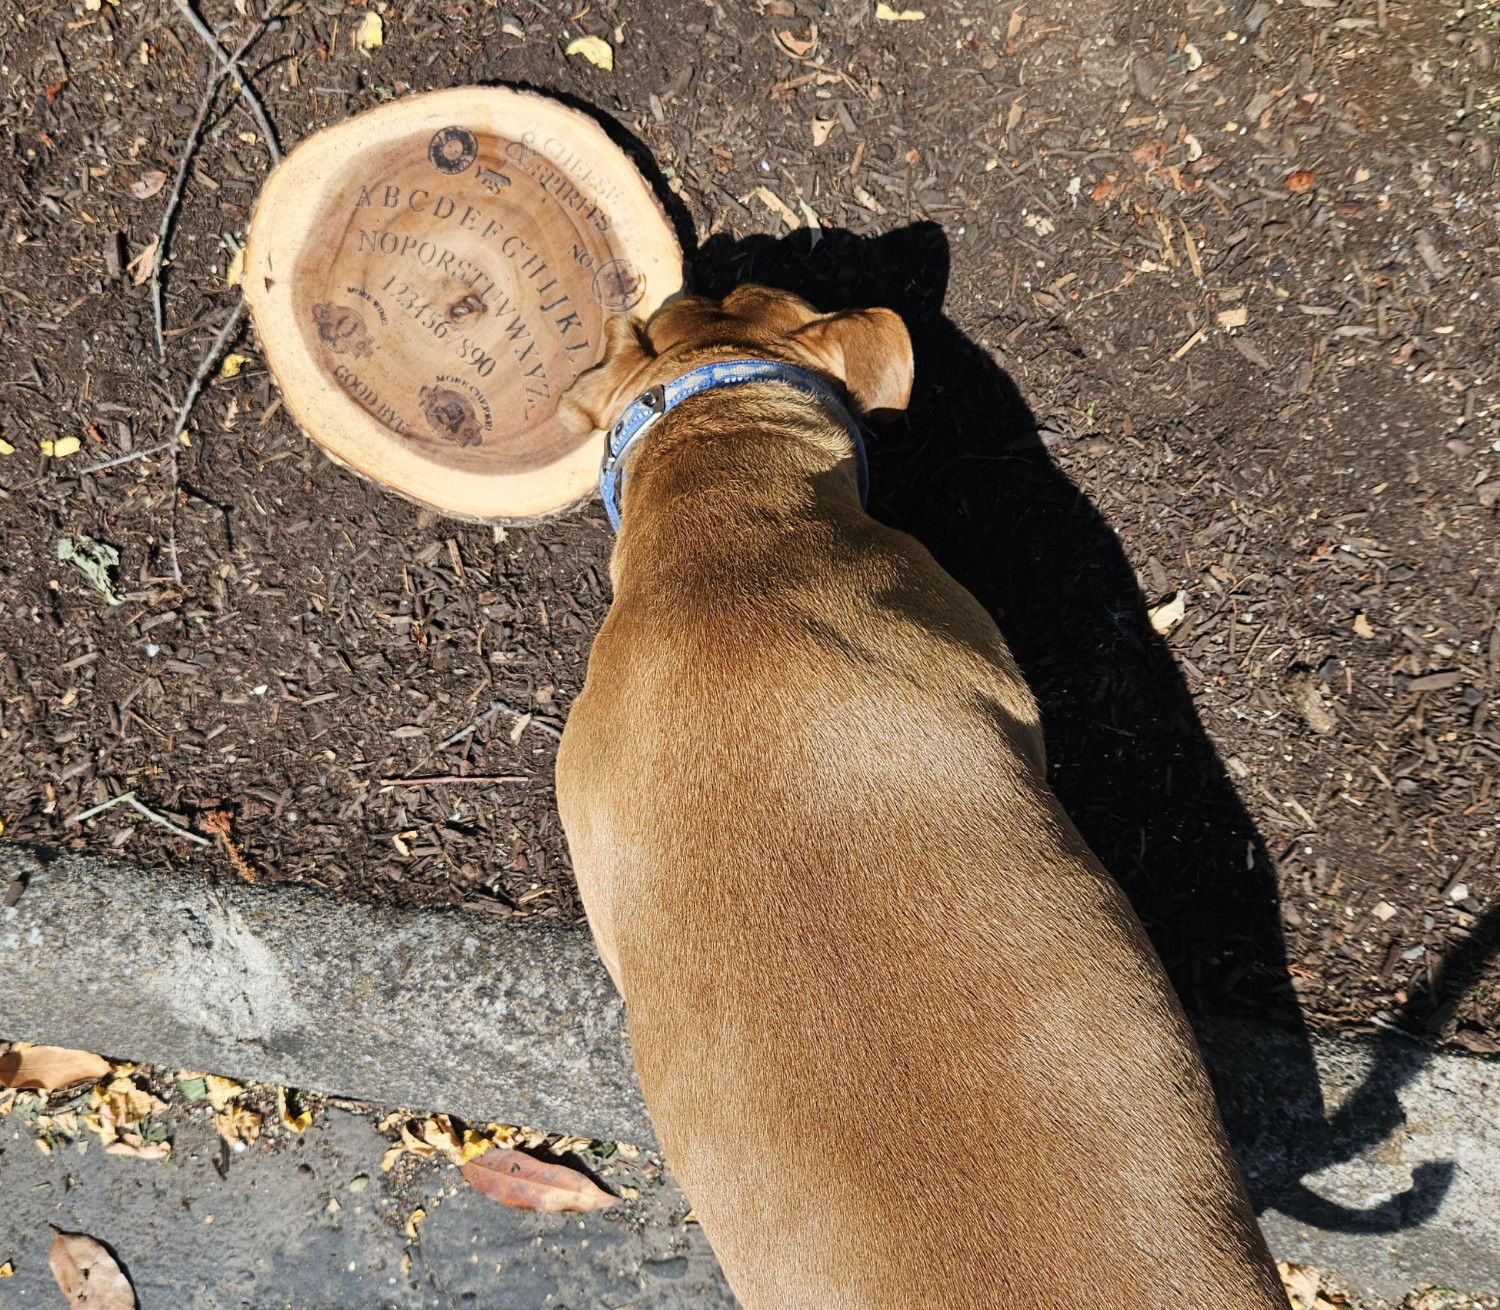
{"x": 425, "y": 1009}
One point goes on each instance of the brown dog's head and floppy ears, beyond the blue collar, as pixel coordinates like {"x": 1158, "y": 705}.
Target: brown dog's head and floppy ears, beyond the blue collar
{"x": 865, "y": 350}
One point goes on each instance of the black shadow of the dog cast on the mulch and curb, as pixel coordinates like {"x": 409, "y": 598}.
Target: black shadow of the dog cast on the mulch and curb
{"x": 970, "y": 476}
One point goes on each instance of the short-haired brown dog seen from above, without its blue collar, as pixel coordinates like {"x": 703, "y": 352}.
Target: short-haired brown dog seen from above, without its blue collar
{"x": 902, "y": 1038}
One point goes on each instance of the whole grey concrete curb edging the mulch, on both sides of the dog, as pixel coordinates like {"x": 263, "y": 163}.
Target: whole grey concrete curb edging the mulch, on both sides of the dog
{"x": 1379, "y": 1159}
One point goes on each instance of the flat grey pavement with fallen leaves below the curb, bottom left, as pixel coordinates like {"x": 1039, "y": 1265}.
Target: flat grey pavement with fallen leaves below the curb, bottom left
{"x": 266, "y": 1236}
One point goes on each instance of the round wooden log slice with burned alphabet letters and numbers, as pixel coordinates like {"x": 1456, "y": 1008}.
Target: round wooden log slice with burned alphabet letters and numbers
{"x": 430, "y": 277}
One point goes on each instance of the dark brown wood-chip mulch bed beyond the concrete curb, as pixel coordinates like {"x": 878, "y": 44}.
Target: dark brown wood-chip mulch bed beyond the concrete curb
{"x": 1205, "y": 302}
